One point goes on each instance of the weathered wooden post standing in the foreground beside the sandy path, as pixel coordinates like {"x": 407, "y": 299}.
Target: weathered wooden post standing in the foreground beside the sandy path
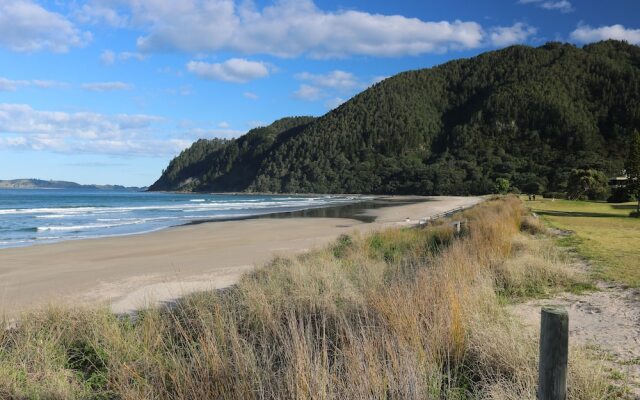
{"x": 554, "y": 354}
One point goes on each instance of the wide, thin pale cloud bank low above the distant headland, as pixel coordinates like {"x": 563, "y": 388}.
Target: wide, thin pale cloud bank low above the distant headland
{"x": 22, "y": 127}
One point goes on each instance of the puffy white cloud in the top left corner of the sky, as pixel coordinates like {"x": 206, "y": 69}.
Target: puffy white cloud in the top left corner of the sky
{"x": 25, "y": 26}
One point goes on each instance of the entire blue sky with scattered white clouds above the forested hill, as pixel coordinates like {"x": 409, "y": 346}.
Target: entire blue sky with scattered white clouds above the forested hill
{"x": 109, "y": 91}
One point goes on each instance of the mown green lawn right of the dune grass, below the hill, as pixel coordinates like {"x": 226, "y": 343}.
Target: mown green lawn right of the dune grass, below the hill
{"x": 604, "y": 233}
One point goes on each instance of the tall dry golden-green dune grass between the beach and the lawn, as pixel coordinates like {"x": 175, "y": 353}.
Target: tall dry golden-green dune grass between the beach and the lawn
{"x": 399, "y": 314}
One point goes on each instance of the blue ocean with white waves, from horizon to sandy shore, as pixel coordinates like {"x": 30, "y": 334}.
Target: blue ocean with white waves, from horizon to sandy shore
{"x": 34, "y": 216}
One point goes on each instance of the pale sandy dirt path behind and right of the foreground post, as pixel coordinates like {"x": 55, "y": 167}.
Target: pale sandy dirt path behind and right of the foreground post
{"x": 607, "y": 321}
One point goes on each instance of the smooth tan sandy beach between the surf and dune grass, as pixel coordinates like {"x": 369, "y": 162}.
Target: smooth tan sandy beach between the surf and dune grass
{"x": 129, "y": 272}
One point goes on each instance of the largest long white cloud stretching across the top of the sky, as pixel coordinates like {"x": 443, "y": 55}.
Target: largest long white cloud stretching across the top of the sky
{"x": 285, "y": 28}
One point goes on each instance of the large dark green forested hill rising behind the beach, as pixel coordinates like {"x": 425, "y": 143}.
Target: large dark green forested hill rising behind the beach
{"x": 529, "y": 115}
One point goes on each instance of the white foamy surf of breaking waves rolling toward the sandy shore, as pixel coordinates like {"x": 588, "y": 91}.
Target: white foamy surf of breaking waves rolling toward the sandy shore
{"x": 61, "y": 222}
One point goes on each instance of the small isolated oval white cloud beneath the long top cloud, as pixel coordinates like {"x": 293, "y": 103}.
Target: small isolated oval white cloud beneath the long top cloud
{"x": 237, "y": 70}
